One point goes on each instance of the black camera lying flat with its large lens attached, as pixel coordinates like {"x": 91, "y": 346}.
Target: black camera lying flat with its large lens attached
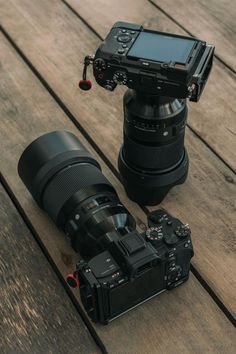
{"x": 122, "y": 267}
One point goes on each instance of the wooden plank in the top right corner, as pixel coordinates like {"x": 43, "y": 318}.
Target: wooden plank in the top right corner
{"x": 211, "y": 20}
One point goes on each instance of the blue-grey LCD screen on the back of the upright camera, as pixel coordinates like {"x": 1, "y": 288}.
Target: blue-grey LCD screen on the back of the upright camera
{"x": 161, "y": 48}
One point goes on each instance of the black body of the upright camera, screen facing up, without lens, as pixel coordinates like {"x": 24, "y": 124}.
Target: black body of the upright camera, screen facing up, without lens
{"x": 153, "y": 62}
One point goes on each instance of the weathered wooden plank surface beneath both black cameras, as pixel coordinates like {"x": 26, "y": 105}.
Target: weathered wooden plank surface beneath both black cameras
{"x": 42, "y": 47}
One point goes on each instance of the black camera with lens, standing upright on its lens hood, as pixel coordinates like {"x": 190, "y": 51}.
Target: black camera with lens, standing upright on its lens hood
{"x": 161, "y": 70}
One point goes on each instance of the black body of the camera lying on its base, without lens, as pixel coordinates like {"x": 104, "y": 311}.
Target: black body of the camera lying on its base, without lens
{"x": 135, "y": 268}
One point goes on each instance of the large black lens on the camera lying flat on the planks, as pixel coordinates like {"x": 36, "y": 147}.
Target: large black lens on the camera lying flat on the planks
{"x": 68, "y": 184}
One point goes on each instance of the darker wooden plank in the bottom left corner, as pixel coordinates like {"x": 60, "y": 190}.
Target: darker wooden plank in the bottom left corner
{"x": 35, "y": 312}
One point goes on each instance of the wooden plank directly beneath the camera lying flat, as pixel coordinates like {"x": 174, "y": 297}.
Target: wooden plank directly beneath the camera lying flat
{"x": 182, "y": 321}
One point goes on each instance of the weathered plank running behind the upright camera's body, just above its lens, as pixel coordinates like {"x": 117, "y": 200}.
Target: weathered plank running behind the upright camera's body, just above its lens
{"x": 213, "y": 118}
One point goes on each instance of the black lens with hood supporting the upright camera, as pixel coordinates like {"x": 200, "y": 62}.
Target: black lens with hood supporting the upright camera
{"x": 153, "y": 158}
